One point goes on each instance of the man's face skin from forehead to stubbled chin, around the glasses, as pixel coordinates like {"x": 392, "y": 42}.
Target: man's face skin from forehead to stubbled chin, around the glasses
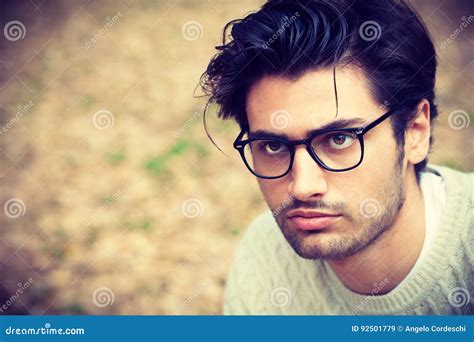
{"x": 362, "y": 202}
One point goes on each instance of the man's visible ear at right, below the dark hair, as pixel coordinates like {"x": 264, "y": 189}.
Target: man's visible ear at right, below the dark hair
{"x": 417, "y": 134}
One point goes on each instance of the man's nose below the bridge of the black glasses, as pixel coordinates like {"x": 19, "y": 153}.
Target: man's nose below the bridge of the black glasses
{"x": 308, "y": 180}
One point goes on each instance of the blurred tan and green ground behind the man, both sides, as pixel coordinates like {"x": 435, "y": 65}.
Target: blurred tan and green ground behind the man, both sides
{"x": 113, "y": 201}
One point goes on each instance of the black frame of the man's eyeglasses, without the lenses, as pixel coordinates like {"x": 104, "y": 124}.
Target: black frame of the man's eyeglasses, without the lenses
{"x": 359, "y": 132}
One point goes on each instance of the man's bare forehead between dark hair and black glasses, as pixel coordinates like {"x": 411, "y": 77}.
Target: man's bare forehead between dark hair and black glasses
{"x": 294, "y": 107}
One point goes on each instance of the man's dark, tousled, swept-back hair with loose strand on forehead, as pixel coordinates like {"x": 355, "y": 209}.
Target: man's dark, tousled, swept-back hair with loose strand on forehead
{"x": 386, "y": 39}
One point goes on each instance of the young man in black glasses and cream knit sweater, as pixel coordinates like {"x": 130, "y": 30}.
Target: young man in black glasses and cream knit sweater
{"x": 335, "y": 100}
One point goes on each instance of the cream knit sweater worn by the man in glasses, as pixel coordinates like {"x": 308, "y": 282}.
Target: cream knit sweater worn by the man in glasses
{"x": 269, "y": 278}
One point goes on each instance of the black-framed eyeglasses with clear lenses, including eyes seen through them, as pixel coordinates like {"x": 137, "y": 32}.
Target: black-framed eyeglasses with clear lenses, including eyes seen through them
{"x": 336, "y": 150}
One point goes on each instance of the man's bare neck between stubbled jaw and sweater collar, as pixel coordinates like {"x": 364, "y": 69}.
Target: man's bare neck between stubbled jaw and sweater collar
{"x": 389, "y": 259}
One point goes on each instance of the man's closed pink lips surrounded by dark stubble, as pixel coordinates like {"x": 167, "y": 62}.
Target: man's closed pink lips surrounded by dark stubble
{"x": 311, "y": 220}
